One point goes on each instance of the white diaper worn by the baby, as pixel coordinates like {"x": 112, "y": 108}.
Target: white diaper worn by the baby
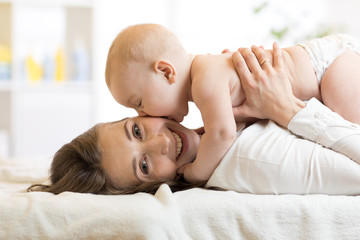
{"x": 323, "y": 51}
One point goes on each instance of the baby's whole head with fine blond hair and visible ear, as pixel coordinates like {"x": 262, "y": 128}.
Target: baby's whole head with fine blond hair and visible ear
{"x": 144, "y": 71}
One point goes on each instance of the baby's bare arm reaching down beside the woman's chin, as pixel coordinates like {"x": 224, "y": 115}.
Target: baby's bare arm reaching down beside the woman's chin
{"x": 211, "y": 94}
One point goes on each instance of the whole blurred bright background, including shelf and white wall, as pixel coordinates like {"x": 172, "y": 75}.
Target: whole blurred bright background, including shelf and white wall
{"x": 53, "y": 54}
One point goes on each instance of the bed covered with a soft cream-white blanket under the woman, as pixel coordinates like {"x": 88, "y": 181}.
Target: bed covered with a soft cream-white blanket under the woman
{"x": 190, "y": 214}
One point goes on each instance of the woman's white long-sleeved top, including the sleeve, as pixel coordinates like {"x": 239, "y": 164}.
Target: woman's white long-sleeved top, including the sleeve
{"x": 319, "y": 153}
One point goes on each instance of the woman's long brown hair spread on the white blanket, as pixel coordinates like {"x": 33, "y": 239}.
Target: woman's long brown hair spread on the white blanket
{"x": 76, "y": 167}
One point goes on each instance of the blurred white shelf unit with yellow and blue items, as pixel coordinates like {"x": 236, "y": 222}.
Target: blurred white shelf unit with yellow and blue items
{"x": 46, "y": 86}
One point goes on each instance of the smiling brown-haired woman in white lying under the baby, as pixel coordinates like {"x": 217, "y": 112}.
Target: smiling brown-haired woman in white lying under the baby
{"x": 139, "y": 154}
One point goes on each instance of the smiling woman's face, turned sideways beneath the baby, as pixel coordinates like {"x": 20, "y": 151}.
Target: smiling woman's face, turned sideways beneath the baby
{"x": 144, "y": 149}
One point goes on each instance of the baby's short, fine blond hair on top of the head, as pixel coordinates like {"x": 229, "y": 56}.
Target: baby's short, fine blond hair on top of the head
{"x": 145, "y": 43}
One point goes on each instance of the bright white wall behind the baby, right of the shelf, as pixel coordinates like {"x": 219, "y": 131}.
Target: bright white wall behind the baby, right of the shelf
{"x": 209, "y": 26}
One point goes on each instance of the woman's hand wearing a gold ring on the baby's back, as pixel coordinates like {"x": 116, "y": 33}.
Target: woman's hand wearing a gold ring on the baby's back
{"x": 267, "y": 88}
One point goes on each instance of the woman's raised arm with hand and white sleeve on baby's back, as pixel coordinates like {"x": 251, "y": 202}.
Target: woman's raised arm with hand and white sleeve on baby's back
{"x": 269, "y": 95}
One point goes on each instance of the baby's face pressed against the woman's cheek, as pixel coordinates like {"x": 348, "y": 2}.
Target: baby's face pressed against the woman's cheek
{"x": 148, "y": 92}
